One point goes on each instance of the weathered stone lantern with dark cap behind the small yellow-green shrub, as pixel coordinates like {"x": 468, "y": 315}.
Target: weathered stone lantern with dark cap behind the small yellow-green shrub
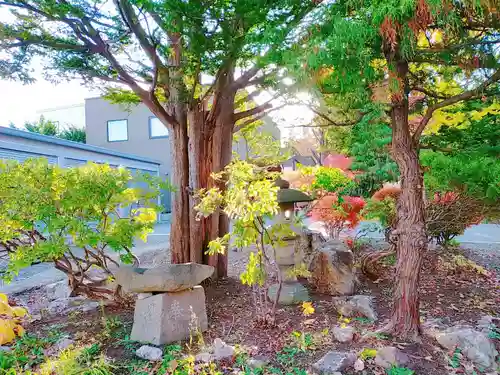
{"x": 289, "y": 256}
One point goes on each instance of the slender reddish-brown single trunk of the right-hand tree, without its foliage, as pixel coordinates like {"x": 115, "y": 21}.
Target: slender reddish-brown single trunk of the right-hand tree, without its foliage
{"x": 411, "y": 234}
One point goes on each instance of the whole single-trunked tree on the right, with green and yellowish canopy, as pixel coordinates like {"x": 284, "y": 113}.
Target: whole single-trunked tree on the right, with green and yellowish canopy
{"x": 408, "y": 61}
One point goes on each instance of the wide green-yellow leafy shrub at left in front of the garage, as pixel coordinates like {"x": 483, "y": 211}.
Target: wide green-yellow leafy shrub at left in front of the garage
{"x": 43, "y": 205}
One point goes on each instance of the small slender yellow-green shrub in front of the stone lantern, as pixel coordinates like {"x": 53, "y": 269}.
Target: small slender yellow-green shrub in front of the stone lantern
{"x": 250, "y": 198}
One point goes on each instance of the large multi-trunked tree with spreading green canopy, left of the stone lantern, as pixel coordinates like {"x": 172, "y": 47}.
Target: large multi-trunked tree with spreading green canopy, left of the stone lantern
{"x": 160, "y": 50}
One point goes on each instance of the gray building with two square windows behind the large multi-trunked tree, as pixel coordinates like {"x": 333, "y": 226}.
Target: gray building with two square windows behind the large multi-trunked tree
{"x": 137, "y": 131}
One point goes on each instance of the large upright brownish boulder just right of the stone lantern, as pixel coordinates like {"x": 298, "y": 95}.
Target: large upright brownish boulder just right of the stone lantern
{"x": 332, "y": 269}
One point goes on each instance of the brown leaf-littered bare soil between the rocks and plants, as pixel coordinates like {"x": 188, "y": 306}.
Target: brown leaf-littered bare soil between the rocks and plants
{"x": 454, "y": 296}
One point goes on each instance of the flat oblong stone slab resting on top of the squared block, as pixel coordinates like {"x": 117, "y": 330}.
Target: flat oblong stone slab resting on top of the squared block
{"x": 166, "y": 278}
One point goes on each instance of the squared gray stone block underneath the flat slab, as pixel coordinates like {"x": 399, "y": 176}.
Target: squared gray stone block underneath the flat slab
{"x": 168, "y": 317}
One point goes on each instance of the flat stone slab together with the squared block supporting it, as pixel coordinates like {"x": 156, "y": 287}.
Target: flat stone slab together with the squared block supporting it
{"x": 170, "y": 305}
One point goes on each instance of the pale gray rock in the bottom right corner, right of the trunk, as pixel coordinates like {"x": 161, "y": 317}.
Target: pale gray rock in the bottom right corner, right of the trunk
{"x": 475, "y": 345}
